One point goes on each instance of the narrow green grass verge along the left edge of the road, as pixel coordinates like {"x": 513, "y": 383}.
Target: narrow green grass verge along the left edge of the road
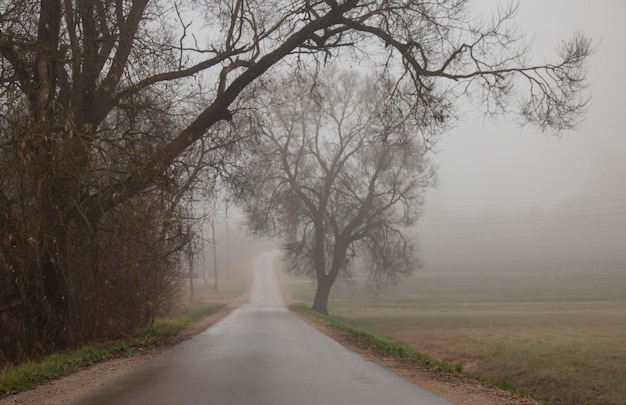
{"x": 28, "y": 375}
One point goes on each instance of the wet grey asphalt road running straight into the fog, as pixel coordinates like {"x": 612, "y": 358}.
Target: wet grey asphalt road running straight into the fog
{"x": 261, "y": 354}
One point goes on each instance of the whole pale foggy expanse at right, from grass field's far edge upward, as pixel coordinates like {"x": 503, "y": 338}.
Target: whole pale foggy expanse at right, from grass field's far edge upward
{"x": 513, "y": 199}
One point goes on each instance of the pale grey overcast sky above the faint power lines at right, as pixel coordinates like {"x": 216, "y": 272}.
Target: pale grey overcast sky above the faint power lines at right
{"x": 485, "y": 162}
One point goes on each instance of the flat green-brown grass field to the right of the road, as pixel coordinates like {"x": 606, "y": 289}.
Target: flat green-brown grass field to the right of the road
{"x": 561, "y": 338}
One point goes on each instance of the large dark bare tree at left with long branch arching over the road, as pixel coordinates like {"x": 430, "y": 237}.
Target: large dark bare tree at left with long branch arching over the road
{"x": 103, "y": 101}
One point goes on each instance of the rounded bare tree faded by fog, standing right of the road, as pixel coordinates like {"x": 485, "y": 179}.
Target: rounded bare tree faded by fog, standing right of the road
{"x": 338, "y": 172}
